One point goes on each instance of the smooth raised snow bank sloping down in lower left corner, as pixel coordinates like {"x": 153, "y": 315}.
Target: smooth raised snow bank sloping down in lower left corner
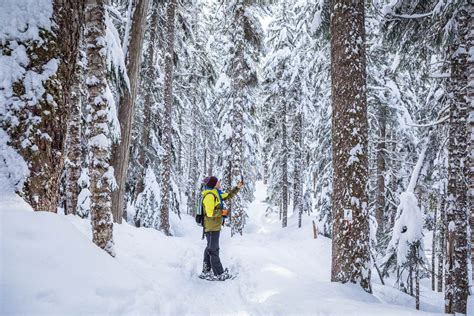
{"x": 49, "y": 267}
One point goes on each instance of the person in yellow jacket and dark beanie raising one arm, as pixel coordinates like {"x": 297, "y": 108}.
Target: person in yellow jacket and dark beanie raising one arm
{"x": 213, "y": 207}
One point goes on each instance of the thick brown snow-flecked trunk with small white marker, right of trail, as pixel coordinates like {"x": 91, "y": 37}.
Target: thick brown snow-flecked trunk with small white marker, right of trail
{"x": 350, "y": 244}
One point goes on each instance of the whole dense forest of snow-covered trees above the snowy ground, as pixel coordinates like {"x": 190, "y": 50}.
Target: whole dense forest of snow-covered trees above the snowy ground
{"x": 357, "y": 115}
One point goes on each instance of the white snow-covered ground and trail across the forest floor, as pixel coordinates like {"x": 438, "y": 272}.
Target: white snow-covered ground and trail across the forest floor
{"x": 50, "y": 267}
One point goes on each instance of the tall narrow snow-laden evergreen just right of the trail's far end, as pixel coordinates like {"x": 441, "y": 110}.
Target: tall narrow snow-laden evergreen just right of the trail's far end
{"x": 280, "y": 96}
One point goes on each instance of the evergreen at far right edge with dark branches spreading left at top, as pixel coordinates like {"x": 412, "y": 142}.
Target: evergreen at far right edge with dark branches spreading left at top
{"x": 445, "y": 31}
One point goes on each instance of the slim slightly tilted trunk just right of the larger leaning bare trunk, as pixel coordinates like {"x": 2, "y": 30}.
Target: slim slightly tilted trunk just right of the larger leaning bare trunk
{"x": 148, "y": 98}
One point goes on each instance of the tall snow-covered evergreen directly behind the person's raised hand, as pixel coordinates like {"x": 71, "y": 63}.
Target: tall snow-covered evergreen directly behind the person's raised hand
{"x": 238, "y": 121}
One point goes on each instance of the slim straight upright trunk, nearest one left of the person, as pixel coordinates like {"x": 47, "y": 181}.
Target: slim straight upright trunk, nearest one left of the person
{"x": 168, "y": 102}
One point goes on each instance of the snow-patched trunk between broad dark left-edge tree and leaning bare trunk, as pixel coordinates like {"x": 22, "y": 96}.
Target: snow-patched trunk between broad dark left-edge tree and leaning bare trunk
{"x": 101, "y": 173}
